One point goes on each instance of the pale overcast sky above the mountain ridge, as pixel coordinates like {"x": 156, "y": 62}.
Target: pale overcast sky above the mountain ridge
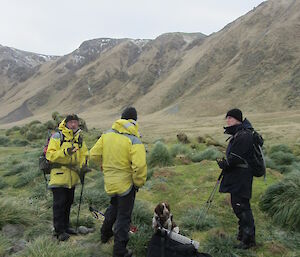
{"x": 58, "y": 27}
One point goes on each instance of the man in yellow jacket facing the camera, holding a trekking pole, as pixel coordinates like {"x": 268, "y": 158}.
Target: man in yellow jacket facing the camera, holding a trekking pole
{"x": 67, "y": 153}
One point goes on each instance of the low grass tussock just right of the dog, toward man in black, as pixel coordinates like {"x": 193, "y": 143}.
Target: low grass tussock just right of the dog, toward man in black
{"x": 195, "y": 219}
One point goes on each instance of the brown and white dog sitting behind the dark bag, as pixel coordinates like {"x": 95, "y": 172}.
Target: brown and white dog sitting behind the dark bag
{"x": 163, "y": 218}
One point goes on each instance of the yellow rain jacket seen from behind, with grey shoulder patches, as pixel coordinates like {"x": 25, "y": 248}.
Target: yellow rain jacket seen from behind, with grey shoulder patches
{"x": 123, "y": 157}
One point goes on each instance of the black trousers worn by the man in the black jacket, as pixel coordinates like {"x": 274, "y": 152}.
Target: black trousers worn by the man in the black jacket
{"x": 242, "y": 209}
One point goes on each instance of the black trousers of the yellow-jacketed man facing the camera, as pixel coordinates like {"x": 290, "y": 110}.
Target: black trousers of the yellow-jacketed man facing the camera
{"x": 62, "y": 201}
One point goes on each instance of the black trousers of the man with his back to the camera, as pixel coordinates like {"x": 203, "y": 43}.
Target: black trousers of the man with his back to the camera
{"x": 119, "y": 213}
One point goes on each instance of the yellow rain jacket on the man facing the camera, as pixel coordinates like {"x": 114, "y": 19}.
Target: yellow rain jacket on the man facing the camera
{"x": 67, "y": 174}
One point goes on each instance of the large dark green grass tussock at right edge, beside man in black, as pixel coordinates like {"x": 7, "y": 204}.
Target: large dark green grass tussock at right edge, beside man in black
{"x": 282, "y": 202}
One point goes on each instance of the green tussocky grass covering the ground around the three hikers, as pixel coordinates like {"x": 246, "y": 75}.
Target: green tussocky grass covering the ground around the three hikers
{"x": 275, "y": 203}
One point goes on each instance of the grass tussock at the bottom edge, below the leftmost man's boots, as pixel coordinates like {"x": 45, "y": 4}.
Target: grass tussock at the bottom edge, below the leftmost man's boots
{"x": 47, "y": 247}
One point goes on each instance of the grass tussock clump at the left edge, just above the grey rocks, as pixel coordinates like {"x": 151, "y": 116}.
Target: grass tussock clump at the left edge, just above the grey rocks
{"x": 13, "y": 213}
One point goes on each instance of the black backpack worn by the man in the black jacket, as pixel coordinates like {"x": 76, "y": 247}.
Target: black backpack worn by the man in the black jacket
{"x": 257, "y": 162}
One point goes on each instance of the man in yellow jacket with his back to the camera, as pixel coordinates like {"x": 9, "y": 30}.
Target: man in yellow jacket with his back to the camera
{"x": 122, "y": 156}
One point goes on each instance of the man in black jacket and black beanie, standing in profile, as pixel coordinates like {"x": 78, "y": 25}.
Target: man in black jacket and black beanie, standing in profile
{"x": 237, "y": 174}
